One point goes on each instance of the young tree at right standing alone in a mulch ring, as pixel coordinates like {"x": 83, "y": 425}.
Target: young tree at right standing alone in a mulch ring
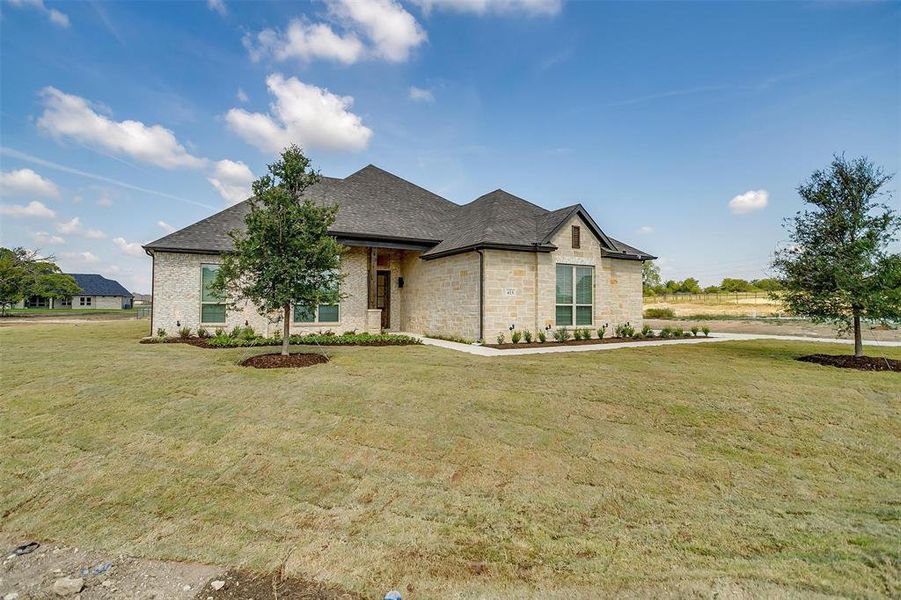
{"x": 838, "y": 267}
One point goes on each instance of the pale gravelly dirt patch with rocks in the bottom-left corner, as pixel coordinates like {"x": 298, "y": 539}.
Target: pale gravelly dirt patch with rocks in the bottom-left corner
{"x": 105, "y": 576}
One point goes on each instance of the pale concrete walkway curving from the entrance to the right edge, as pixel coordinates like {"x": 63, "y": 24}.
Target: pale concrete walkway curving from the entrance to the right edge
{"x": 552, "y": 347}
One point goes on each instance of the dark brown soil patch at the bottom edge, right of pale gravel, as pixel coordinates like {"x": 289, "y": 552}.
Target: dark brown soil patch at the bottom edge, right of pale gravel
{"x": 241, "y": 585}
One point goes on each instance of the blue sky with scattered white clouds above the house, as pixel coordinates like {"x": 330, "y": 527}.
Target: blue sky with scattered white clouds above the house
{"x": 684, "y": 128}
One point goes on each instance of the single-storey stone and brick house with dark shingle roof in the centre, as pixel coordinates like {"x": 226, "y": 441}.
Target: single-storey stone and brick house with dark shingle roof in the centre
{"x": 419, "y": 263}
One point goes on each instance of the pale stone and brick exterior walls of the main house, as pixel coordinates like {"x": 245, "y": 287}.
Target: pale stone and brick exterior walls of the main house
{"x": 439, "y": 296}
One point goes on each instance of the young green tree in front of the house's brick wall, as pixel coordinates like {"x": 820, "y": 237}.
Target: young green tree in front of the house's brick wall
{"x": 286, "y": 256}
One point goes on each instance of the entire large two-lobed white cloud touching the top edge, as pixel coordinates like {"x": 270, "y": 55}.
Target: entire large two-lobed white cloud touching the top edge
{"x": 391, "y": 33}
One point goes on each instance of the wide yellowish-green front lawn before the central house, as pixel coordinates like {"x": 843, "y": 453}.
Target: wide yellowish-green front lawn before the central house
{"x": 654, "y": 470}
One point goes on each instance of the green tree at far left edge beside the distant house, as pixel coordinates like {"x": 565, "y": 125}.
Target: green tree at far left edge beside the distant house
{"x": 24, "y": 273}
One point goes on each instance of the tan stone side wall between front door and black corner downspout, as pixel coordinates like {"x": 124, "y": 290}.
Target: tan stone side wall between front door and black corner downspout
{"x": 441, "y": 296}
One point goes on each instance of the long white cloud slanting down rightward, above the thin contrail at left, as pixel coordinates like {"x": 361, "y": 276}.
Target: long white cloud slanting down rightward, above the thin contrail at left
{"x": 68, "y": 116}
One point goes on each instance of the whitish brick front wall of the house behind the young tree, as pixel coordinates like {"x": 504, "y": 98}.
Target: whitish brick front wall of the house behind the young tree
{"x": 176, "y": 296}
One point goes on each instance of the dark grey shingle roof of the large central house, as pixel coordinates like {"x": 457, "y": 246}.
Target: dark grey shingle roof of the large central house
{"x": 375, "y": 205}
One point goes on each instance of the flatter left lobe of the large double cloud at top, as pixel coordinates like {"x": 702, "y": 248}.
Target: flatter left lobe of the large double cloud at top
{"x": 305, "y": 41}
